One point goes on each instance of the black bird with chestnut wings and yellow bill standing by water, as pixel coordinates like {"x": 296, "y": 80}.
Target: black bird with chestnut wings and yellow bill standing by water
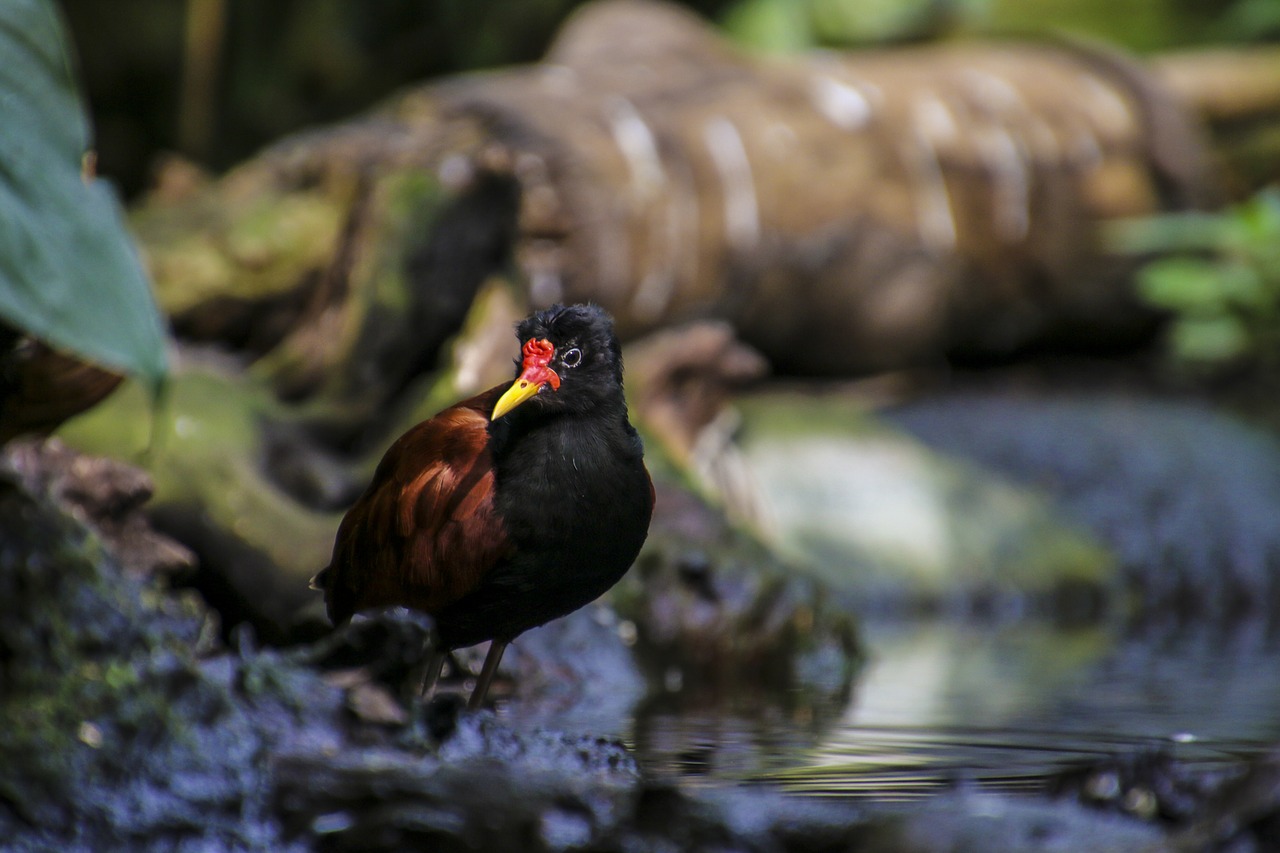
{"x": 510, "y": 509}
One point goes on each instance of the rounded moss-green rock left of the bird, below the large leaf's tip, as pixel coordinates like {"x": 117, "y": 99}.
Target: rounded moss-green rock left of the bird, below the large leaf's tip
{"x": 257, "y": 548}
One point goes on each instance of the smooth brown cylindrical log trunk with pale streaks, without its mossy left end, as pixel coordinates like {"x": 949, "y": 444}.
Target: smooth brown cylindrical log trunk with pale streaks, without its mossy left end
{"x": 845, "y": 213}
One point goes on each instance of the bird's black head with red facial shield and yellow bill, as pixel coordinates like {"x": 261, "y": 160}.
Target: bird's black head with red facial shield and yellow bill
{"x": 572, "y": 362}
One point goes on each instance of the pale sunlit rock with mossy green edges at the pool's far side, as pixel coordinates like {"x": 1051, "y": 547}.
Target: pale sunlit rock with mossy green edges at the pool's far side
{"x": 890, "y": 526}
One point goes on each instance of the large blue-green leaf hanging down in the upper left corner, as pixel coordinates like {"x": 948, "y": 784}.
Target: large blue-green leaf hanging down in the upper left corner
{"x": 70, "y": 273}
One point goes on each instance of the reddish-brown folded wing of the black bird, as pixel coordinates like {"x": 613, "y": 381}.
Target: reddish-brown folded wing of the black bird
{"x": 427, "y": 531}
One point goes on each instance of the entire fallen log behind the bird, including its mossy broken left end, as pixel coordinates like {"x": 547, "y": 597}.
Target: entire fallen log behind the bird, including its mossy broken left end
{"x": 844, "y": 213}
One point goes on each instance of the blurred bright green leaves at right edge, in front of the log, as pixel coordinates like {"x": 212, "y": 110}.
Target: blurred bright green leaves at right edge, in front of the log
{"x": 1220, "y": 280}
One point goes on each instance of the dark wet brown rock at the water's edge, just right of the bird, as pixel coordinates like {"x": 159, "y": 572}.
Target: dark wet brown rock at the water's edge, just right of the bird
{"x": 712, "y": 608}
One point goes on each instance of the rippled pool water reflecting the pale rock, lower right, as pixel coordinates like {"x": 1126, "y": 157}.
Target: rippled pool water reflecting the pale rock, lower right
{"x": 941, "y": 705}
